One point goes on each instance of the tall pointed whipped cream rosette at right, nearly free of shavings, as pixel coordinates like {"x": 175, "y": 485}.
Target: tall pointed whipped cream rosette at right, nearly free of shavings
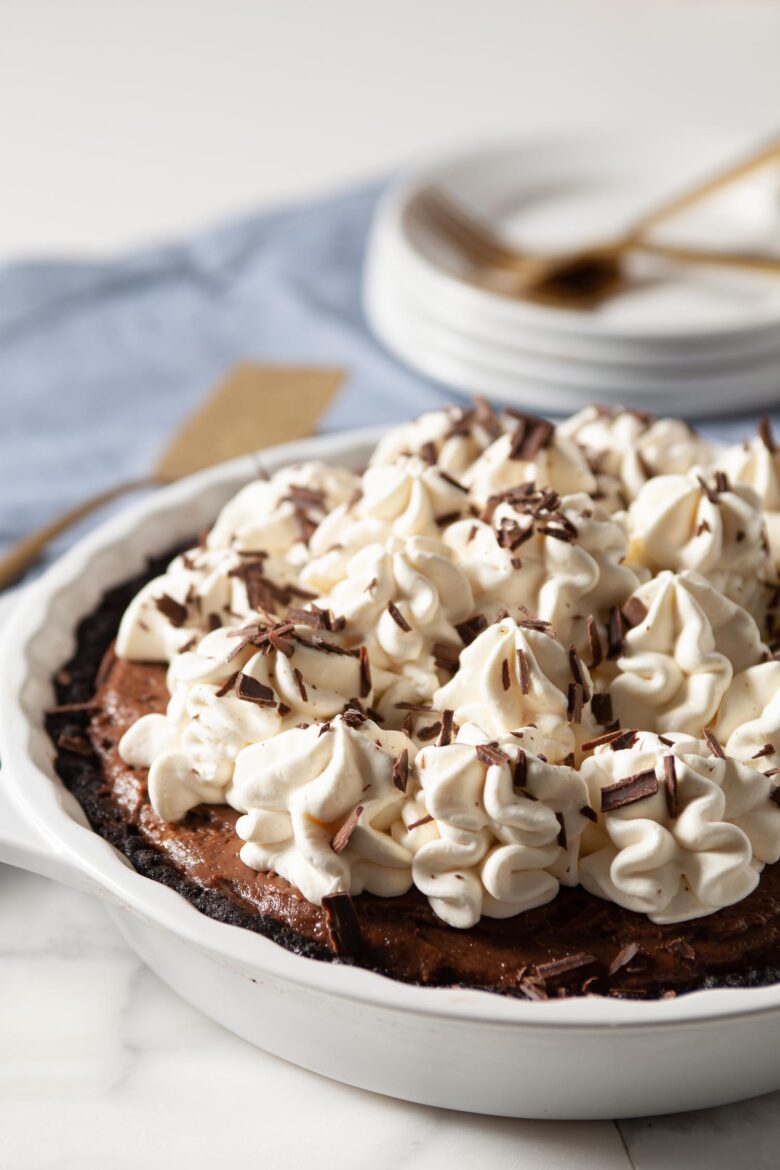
{"x": 678, "y": 662}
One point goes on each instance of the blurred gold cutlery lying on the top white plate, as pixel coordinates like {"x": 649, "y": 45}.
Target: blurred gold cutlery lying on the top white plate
{"x": 586, "y": 277}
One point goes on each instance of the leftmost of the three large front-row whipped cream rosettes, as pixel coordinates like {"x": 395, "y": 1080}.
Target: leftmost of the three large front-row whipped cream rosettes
{"x": 320, "y": 804}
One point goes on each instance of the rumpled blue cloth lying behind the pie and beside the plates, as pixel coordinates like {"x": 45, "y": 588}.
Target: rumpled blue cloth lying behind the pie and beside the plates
{"x": 101, "y": 361}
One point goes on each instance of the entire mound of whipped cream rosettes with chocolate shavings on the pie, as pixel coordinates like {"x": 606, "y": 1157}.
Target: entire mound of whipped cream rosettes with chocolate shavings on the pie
{"x": 405, "y": 678}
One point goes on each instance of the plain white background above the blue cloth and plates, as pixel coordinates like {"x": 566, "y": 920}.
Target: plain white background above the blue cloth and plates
{"x": 123, "y": 121}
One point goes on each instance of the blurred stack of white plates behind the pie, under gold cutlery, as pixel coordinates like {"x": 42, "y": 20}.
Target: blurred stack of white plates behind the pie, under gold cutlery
{"x": 684, "y": 339}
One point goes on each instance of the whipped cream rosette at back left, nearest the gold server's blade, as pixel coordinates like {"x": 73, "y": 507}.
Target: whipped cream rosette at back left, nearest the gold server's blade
{"x": 275, "y": 515}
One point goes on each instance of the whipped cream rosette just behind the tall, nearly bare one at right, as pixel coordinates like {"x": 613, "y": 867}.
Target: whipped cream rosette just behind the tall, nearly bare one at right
{"x": 703, "y": 524}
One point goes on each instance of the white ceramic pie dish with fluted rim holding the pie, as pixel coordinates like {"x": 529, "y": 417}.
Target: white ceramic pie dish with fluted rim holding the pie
{"x": 452, "y": 1048}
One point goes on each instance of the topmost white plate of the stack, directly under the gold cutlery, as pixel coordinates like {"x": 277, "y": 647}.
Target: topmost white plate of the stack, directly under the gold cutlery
{"x": 569, "y": 190}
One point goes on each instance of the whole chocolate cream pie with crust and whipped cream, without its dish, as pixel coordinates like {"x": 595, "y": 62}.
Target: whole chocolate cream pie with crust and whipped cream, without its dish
{"x": 502, "y": 712}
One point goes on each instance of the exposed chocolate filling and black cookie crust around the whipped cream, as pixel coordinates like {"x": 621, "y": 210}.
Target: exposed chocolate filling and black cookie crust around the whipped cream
{"x": 539, "y": 954}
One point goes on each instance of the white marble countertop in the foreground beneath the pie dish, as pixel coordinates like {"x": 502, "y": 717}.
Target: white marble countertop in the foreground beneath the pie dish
{"x": 101, "y": 1065}
